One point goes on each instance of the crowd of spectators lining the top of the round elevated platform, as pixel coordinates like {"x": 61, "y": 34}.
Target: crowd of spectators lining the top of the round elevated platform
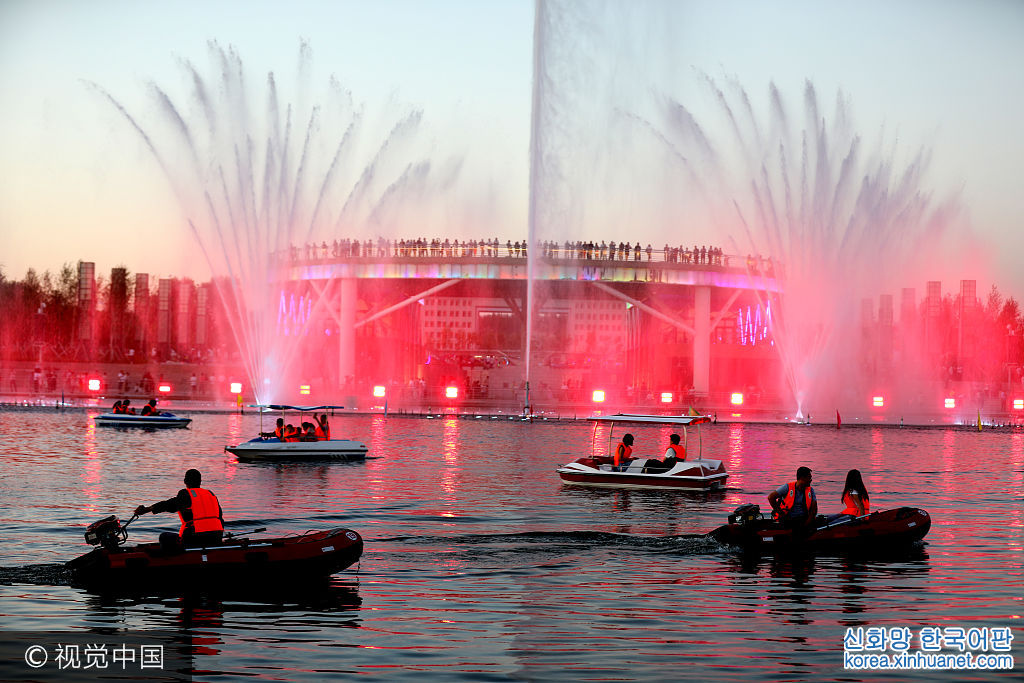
{"x": 447, "y": 248}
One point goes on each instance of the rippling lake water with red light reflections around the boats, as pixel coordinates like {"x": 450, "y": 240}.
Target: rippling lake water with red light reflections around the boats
{"x": 481, "y": 566}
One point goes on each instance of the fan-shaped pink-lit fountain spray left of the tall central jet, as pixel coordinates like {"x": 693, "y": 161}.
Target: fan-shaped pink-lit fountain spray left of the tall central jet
{"x": 260, "y": 176}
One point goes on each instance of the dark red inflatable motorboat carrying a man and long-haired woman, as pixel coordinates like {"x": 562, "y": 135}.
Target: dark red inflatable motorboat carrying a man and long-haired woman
{"x": 750, "y": 530}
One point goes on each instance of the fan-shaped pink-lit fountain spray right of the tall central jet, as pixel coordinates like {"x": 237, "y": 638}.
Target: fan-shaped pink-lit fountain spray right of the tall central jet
{"x": 841, "y": 222}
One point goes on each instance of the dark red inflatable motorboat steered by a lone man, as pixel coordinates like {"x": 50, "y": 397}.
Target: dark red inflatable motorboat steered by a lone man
{"x": 237, "y": 561}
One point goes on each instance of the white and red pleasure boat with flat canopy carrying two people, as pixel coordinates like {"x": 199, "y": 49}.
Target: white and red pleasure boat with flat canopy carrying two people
{"x": 694, "y": 474}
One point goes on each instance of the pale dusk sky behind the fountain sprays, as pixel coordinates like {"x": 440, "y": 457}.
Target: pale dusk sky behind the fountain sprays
{"x": 78, "y": 184}
